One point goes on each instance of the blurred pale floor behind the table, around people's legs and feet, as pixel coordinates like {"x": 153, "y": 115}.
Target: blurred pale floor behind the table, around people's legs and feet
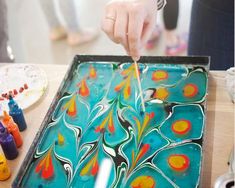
{"x": 29, "y": 32}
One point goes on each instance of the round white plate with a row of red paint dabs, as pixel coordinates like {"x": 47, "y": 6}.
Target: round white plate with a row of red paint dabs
{"x": 26, "y": 82}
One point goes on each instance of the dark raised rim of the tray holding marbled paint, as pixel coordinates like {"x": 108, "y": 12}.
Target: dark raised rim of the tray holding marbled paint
{"x": 194, "y": 61}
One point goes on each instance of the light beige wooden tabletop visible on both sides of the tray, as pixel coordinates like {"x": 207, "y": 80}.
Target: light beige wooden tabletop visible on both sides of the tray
{"x": 218, "y": 137}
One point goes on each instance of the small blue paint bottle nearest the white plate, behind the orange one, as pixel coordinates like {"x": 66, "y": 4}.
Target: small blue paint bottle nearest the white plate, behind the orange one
{"x": 17, "y": 114}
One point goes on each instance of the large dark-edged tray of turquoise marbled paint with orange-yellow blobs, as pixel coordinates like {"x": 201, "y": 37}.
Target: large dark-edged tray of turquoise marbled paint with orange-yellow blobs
{"x": 95, "y": 133}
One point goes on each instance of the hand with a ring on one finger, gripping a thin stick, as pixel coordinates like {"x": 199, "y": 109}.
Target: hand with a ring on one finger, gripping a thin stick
{"x": 130, "y": 23}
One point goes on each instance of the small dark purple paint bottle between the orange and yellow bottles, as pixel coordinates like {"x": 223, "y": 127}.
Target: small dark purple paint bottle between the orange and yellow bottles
{"x": 8, "y": 143}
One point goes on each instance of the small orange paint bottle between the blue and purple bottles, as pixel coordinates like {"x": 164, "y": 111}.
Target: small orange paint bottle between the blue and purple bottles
{"x": 12, "y": 129}
